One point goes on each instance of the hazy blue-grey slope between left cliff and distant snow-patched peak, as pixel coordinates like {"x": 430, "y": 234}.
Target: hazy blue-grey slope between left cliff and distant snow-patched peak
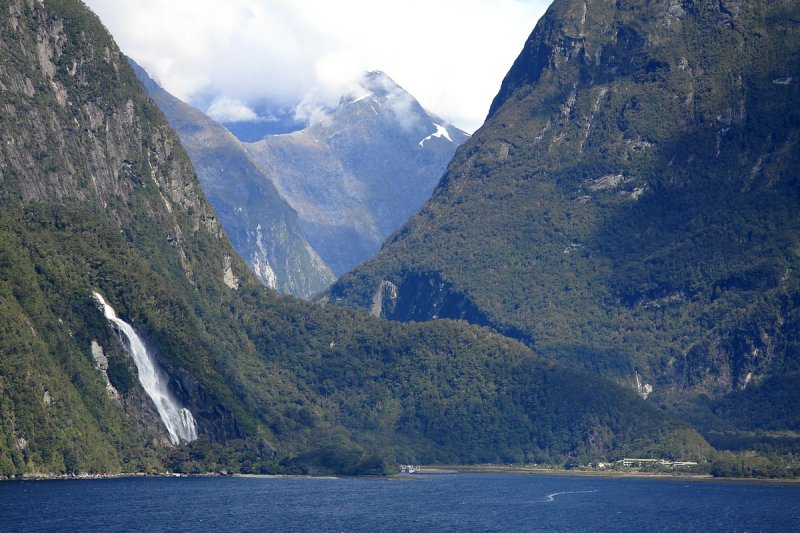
{"x": 262, "y": 227}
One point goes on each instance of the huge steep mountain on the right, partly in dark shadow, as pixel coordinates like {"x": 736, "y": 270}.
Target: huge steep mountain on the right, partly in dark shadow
{"x": 630, "y": 207}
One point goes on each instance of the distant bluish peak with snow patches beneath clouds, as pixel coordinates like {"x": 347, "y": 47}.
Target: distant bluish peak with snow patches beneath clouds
{"x": 356, "y": 175}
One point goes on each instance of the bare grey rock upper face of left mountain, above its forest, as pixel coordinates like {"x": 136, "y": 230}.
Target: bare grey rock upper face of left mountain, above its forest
{"x": 65, "y": 129}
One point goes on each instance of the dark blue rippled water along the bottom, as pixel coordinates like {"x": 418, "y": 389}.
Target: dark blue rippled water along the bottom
{"x": 464, "y": 502}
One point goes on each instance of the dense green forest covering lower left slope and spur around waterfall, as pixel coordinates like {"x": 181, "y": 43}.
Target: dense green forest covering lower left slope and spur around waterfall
{"x": 279, "y": 378}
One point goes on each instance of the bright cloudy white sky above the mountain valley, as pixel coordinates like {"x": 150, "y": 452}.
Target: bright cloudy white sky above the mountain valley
{"x": 239, "y": 59}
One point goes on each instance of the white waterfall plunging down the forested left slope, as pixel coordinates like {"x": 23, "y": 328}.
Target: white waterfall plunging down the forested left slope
{"x": 178, "y": 420}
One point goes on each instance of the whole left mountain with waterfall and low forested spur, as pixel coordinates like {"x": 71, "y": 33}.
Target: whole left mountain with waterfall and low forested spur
{"x": 109, "y": 251}
